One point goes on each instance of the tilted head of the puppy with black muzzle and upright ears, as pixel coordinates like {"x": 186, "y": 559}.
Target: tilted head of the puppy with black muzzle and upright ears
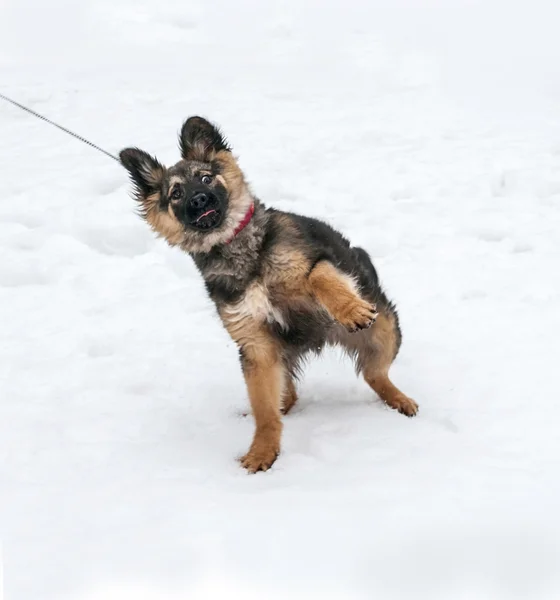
{"x": 200, "y": 201}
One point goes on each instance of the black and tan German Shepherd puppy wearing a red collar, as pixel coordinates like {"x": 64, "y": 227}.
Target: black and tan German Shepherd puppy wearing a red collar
{"x": 284, "y": 285}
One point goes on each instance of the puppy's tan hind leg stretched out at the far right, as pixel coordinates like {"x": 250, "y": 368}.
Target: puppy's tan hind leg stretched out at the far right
{"x": 375, "y": 358}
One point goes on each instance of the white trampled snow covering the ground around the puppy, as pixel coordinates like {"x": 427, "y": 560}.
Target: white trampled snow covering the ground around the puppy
{"x": 429, "y": 133}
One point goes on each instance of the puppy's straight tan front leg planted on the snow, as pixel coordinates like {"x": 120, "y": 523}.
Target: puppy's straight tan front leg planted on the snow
{"x": 265, "y": 377}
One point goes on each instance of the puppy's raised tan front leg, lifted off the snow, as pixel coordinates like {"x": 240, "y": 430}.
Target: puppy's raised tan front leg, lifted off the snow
{"x": 337, "y": 293}
